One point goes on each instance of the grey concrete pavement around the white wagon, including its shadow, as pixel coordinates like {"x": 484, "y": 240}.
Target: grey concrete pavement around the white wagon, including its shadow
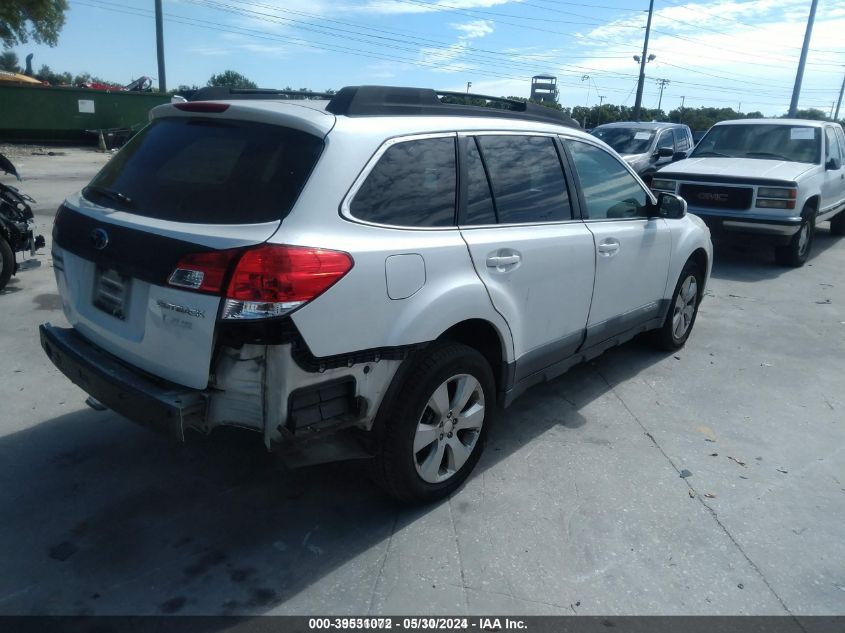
{"x": 577, "y": 506}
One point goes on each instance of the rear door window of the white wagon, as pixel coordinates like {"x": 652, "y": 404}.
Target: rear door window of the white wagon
{"x": 526, "y": 177}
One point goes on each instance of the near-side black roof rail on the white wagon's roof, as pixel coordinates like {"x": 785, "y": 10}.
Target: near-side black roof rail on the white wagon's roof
{"x": 399, "y": 101}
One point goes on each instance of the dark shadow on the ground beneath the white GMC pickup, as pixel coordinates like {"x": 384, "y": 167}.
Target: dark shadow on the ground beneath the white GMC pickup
{"x": 754, "y": 260}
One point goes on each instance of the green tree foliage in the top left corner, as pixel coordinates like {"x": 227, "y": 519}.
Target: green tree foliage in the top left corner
{"x": 39, "y": 19}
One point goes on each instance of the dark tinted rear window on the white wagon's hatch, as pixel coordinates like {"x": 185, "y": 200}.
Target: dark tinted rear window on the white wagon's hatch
{"x": 208, "y": 171}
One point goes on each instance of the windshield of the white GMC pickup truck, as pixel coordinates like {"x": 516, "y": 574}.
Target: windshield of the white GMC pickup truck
{"x": 794, "y": 143}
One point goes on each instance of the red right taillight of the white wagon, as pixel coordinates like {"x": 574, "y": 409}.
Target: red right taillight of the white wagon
{"x": 268, "y": 281}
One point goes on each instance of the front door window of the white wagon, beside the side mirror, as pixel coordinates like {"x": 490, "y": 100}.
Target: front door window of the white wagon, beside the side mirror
{"x": 610, "y": 191}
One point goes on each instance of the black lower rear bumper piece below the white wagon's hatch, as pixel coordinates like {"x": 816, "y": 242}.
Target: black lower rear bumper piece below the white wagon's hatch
{"x": 162, "y": 406}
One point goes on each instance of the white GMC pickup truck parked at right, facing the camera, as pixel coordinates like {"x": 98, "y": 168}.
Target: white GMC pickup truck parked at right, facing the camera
{"x": 773, "y": 177}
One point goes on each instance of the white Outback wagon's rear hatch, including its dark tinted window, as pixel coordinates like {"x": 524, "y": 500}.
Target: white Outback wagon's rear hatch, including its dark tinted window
{"x": 144, "y": 253}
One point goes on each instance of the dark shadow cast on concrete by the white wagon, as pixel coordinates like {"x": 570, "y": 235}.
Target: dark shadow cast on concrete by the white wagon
{"x": 102, "y": 517}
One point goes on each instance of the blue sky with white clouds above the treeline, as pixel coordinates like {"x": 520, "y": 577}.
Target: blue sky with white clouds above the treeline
{"x": 741, "y": 54}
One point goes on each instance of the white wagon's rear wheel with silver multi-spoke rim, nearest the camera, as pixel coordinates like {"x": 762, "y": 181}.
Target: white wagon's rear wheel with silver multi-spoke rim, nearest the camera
{"x": 432, "y": 431}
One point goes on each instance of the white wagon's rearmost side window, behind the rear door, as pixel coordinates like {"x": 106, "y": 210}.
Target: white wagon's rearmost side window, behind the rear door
{"x": 413, "y": 184}
